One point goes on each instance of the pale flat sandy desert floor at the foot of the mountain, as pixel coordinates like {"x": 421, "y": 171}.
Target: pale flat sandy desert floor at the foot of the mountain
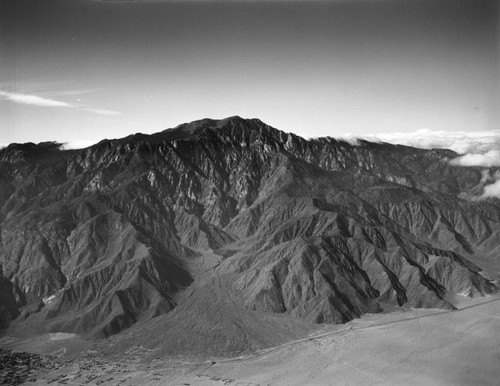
{"x": 415, "y": 347}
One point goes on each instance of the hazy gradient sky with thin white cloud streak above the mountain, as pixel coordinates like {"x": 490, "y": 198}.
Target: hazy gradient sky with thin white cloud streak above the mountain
{"x": 82, "y": 70}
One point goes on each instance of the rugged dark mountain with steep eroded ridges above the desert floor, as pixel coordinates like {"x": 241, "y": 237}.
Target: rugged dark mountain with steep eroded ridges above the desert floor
{"x": 232, "y": 235}
